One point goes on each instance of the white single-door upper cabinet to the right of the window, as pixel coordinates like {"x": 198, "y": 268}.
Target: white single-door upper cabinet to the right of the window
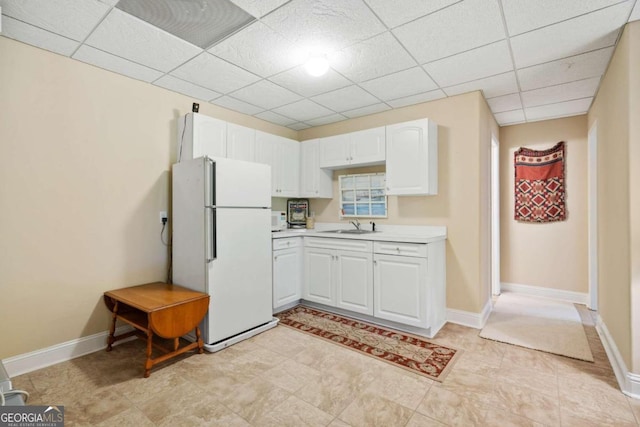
{"x": 412, "y": 158}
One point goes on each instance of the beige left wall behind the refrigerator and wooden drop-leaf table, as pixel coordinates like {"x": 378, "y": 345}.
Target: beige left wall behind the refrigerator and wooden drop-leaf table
{"x": 84, "y": 172}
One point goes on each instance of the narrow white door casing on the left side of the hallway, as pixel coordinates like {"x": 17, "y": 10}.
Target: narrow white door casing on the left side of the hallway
{"x": 495, "y": 216}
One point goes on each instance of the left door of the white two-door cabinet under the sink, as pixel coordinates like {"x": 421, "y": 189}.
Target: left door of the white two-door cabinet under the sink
{"x": 318, "y": 275}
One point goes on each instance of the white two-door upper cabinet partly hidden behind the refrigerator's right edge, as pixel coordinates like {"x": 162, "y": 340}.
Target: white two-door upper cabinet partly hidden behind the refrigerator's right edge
{"x": 283, "y": 155}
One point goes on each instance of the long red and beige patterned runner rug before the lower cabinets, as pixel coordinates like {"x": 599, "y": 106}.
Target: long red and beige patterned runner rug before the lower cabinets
{"x": 405, "y": 351}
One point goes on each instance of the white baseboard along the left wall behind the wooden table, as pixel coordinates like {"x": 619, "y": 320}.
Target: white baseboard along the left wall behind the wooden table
{"x": 38, "y": 359}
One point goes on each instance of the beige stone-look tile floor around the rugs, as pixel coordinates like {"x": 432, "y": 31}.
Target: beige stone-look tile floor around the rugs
{"x": 286, "y": 378}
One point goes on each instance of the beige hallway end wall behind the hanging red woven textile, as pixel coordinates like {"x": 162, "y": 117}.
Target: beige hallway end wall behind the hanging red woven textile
{"x": 548, "y": 255}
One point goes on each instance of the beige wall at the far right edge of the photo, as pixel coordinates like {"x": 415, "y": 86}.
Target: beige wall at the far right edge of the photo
{"x": 616, "y": 113}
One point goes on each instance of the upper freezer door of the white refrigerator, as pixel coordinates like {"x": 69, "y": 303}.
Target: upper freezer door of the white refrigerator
{"x": 242, "y": 184}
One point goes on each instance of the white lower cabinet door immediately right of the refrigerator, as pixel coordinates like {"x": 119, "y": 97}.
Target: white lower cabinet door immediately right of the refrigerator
{"x": 287, "y": 276}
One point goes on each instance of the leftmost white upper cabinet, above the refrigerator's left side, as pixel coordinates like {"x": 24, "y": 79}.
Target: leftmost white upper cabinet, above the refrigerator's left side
{"x": 200, "y": 135}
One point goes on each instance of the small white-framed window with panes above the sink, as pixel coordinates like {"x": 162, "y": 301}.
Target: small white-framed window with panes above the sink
{"x": 363, "y": 195}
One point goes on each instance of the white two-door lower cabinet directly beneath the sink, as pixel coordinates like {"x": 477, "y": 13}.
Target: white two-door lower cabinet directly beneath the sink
{"x": 339, "y": 273}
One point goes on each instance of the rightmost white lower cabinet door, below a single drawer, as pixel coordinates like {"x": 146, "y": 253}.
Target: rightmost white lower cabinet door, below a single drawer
{"x": 400, "y": 289}
